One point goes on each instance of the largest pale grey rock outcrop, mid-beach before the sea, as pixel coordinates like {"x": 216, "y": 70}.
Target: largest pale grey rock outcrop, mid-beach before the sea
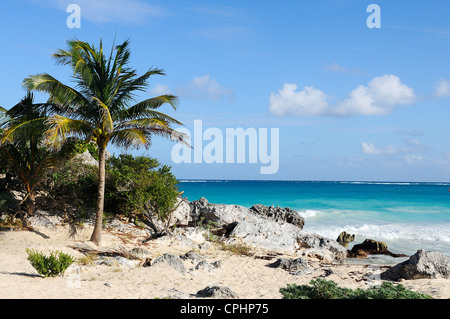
{"x": 269, "y": 228}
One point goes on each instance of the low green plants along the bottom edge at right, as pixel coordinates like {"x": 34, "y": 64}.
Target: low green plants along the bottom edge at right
{"x": 328, "y": 289}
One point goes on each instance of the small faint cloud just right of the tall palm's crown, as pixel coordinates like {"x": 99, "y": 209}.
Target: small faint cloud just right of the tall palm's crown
{"x": 205, "y": 87}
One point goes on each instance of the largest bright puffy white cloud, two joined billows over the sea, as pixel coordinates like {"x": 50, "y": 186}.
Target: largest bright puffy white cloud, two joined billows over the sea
{"x": 379, "y": 97}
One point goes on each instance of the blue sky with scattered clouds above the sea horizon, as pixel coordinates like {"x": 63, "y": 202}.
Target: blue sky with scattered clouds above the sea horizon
{"x": 350, "y": 102}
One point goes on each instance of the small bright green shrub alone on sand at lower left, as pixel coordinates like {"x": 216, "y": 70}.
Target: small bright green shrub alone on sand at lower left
{"x": 52, "y": 265}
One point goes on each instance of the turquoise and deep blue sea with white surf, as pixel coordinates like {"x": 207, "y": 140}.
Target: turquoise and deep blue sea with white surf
{"x": 406, "y": 216}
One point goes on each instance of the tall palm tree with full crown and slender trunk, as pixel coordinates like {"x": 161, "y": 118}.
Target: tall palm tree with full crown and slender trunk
{"x": 98, "y": 109}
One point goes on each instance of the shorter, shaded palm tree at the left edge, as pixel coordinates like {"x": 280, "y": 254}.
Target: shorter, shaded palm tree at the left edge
{"x": 24, "y": 155}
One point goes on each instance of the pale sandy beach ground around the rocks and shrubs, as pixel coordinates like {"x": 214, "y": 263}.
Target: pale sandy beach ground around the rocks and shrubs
{"x": 248, "y": 277}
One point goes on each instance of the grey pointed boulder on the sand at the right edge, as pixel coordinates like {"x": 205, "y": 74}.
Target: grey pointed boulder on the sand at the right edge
{"x": 421, "y": 265}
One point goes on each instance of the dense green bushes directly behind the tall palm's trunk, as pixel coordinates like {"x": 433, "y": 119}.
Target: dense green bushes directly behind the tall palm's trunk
{"x": 135, "y": 186}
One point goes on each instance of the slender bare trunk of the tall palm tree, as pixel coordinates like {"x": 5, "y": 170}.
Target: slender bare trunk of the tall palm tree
{"x": 97, "y": 233}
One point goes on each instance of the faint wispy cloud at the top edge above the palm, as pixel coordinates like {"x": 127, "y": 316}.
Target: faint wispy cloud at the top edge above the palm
{"x": 101, "y": 11}
